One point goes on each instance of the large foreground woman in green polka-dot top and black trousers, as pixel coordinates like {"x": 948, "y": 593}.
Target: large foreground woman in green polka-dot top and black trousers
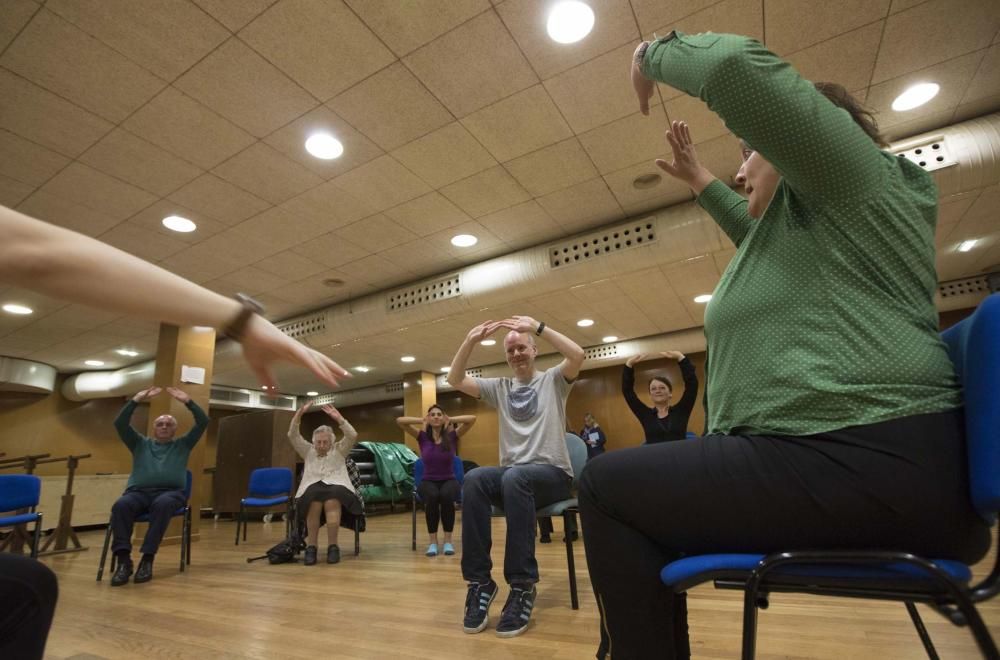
{"x": 834, "y": 415}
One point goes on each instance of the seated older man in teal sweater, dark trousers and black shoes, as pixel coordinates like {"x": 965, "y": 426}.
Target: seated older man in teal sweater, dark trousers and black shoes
{"x": 156, "y": 485}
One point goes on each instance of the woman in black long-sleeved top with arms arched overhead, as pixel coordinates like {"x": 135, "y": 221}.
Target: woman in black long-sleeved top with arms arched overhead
{"x": 662, "y": 422}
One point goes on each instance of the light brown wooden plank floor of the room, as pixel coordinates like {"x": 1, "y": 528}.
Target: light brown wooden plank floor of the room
{"x": 393, "y": 603}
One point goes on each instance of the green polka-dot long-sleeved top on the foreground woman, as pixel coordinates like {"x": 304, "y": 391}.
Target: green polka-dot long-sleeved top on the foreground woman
{"x": 825, "y": 316}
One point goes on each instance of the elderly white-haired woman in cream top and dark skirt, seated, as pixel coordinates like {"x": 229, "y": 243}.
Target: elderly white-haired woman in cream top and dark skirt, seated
{"x": 326, "y": 485}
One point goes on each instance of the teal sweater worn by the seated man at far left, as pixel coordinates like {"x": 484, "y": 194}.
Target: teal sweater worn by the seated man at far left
{"x": 159, "y": 465}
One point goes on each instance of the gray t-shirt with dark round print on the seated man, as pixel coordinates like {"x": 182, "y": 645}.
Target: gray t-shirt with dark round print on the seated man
{"x": 532, "y": 418}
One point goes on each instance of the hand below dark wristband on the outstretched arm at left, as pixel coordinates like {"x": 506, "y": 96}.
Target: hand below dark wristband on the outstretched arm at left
{"x": 264, "y": 344}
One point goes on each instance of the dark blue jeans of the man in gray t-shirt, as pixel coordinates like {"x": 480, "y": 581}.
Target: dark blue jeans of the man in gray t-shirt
{"x": 519, "y": 490}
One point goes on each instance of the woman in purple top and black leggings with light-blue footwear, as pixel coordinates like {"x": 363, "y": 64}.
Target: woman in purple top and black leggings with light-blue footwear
{"x": 438, "y": 435}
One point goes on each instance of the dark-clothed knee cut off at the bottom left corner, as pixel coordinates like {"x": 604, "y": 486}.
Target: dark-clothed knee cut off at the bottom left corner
{"x": 28, "y": 593}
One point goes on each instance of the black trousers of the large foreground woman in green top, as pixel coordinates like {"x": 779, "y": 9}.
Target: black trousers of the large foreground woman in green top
{"x": 898, "y": 485}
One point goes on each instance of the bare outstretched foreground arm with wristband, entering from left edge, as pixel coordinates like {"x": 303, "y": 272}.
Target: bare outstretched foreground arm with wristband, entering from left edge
{"x": 70, "y": 266}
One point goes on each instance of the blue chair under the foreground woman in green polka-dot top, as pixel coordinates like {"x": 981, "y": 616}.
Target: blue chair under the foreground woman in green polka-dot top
{"x": 974, "y": 347}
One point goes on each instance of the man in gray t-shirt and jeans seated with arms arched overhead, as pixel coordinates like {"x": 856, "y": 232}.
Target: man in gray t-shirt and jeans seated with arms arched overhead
{"x": 534, "y": 465}
